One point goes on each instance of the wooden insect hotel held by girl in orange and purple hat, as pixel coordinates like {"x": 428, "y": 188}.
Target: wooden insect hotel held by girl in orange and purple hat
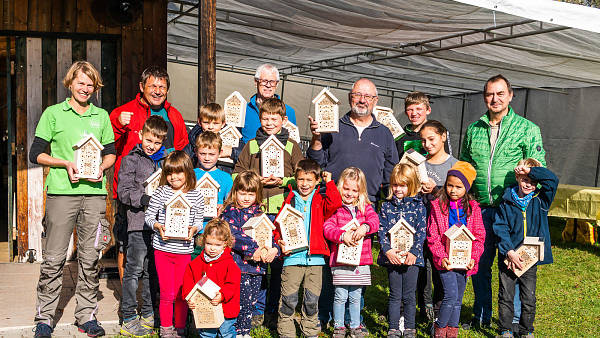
{"x": 459, "y": 244}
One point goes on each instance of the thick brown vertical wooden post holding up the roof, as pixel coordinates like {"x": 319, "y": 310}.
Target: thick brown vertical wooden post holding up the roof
{"x": 207, "y": 28}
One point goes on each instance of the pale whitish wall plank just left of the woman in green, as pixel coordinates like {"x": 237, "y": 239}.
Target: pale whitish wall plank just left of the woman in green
{"x": 35, "y": 175}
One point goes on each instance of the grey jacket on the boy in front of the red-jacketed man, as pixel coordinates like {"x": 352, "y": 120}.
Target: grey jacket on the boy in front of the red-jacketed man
{"x": 136, "y": 167}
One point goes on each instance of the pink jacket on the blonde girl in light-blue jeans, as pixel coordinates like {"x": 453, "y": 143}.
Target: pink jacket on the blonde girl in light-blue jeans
{"x": 333, "y": 232}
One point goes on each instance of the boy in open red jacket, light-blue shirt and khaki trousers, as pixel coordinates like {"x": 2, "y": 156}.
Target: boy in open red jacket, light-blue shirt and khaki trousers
{"x": 306, "y": 265}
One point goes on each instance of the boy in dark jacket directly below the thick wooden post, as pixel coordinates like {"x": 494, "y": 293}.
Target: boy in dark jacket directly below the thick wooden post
{"x": 211, "y": 118}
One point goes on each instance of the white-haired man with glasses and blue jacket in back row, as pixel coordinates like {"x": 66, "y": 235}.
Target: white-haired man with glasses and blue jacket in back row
{"x": 266, "y": 80}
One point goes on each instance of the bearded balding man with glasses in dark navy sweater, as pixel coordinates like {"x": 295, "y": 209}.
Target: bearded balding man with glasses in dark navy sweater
{"x": 361, "y": 142}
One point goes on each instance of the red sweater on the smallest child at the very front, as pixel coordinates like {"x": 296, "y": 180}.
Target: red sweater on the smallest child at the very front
{"x": 224, "y": 272}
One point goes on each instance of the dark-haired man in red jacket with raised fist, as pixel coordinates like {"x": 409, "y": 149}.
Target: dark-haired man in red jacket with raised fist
{"x": 127, "y": 122}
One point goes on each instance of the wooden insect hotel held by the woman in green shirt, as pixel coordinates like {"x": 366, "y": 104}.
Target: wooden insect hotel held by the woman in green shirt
{"x": 88, "y": 157}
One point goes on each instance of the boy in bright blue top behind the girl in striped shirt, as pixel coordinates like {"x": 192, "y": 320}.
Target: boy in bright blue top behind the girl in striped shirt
{"x": 208, "y": 149}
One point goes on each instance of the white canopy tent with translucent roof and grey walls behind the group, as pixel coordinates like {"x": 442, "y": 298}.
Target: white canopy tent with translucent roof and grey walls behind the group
{"x": 447, "y": 49}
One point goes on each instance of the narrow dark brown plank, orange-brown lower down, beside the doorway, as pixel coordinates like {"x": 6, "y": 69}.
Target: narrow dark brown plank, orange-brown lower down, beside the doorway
{"x": 21, "y": 147}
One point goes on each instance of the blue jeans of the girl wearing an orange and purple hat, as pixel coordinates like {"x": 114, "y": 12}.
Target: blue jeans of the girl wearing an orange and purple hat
{"x": 454, "y": 283}
